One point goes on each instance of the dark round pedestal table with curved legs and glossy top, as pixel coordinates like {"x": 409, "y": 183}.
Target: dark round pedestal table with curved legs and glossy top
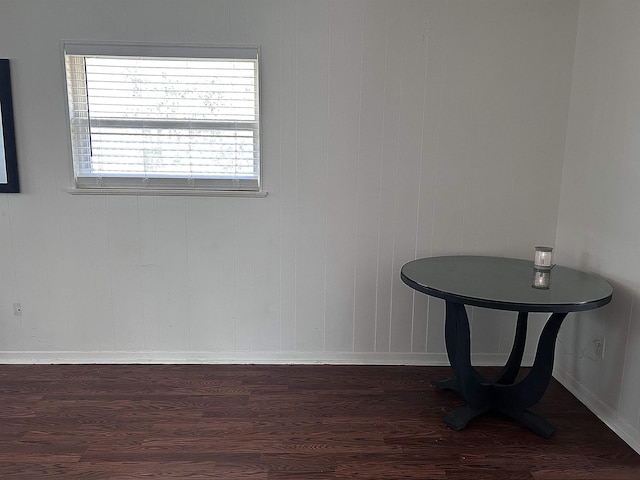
{"x": 502, "y": 284}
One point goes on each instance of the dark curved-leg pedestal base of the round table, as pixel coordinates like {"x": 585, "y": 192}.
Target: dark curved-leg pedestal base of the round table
{"x": 504, "y": 395}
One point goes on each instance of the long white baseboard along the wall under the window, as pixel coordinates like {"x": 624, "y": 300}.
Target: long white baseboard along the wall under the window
{"x": 384, "y": 358}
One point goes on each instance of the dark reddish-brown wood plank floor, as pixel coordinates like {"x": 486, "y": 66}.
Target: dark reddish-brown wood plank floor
{"x": 277, "y": 422}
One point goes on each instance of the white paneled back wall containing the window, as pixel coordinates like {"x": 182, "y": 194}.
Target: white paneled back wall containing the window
{"x": 393, "y": 129}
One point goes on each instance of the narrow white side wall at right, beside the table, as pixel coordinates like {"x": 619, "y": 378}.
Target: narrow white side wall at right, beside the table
{"x": 598, "y": 225}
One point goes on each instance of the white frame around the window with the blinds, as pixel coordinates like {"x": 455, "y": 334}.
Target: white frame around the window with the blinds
{"x": 87, "y": 179}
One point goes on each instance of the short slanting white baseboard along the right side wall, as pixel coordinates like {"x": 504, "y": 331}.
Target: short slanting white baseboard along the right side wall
{"x": 626, "y": 431}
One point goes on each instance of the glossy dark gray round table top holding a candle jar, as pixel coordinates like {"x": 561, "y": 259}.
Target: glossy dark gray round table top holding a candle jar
{"x": 505, "y": 284}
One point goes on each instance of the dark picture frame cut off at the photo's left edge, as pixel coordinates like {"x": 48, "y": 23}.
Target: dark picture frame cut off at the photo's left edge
{"x": 8, "y": 158}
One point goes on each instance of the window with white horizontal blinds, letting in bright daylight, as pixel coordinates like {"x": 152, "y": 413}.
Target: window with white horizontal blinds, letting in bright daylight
{"x": 164, "y": 118}
